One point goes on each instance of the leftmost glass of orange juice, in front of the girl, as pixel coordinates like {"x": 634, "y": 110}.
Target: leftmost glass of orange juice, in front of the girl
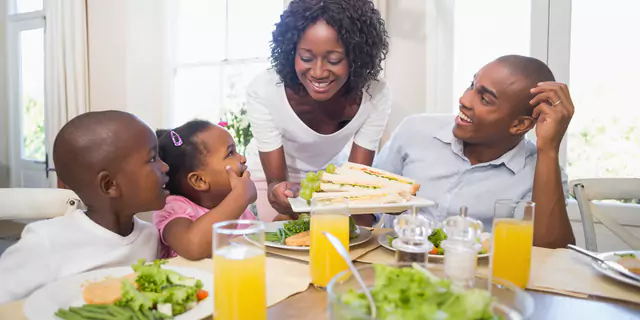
{"x": 239, "y": 272}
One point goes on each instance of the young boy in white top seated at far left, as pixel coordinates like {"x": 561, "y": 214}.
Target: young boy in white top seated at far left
{"x": 110, "y": 160}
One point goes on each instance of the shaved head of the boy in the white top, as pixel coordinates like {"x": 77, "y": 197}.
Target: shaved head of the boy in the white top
{"x": 109, "y": 159}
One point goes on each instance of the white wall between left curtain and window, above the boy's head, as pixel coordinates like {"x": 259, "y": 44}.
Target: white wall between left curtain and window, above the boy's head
{"x": 129, "y": 66}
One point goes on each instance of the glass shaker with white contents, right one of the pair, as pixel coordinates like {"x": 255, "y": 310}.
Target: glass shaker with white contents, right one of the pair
{"x": 461, "y": 248}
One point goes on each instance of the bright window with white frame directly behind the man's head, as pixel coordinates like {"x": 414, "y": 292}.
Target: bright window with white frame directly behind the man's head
{"x": 465, "y": 35}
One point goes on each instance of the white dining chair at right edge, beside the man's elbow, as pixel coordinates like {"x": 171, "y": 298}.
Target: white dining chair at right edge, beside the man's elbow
{"x": 586, "y": 191}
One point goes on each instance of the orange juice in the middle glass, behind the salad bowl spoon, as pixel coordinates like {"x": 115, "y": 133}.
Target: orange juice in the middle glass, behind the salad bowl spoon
{"x": 324, "y": 260}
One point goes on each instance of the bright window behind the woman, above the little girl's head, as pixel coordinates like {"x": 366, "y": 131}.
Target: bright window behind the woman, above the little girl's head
{"x": 220, "y": 47}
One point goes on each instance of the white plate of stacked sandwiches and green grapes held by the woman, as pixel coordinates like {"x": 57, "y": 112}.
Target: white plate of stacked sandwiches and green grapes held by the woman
{"x": 369, "y": 190}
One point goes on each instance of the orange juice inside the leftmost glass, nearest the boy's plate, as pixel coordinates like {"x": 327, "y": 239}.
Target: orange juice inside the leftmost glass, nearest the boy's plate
{"x": 239, "y": 281}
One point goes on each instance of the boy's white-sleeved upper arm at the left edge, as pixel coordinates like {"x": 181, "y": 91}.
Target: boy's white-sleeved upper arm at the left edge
{"x": 24, "y": 267}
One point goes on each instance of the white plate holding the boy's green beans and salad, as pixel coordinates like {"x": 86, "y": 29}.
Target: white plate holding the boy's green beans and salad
{"x": 67, "y": 292}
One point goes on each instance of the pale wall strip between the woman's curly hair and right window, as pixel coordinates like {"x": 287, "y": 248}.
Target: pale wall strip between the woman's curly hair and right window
{"x": 406, "y": 63}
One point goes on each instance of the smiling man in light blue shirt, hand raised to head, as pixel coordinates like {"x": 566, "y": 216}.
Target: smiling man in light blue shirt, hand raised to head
{"x": 485, "y": 156}
